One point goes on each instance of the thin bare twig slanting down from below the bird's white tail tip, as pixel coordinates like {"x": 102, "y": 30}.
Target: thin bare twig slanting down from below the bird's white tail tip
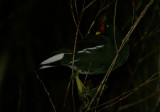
{"x": 49, "y": 96}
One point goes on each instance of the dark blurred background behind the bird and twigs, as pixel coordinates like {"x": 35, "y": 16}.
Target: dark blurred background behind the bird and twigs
{"x": 30, "y": 30}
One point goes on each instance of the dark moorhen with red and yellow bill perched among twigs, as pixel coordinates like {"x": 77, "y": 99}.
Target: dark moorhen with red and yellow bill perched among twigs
{"x": 93, "y": 55}
